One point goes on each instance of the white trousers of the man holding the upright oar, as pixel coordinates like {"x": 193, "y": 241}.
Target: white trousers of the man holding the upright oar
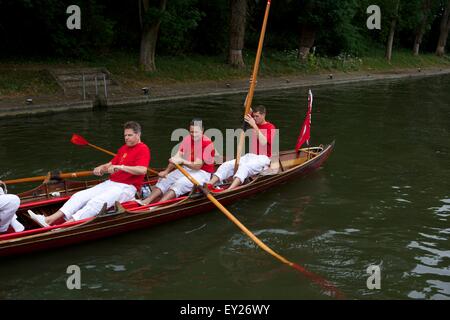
{"x": 249, "y": 165}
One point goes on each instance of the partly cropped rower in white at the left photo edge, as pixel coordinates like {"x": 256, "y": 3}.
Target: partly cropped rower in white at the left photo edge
{"x": 9, "y": 203}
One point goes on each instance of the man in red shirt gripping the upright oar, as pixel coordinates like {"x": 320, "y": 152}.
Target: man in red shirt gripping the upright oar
{"x": 260, "y": 151}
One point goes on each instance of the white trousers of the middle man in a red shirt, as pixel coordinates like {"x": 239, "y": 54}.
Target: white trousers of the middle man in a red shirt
{"x": 178, "y": 183}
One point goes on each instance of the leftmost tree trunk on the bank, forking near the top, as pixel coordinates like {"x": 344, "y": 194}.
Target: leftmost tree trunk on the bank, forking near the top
{"x": 149, "y": 37}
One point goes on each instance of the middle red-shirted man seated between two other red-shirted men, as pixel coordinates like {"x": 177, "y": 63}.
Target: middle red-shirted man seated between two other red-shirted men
{"x": 196, "y": 155}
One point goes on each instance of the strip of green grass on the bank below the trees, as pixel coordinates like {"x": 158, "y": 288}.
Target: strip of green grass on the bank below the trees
{"x": 19, "y": 78}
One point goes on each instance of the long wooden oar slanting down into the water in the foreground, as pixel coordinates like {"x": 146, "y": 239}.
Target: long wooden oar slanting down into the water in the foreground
{"x": 312, "y": 276}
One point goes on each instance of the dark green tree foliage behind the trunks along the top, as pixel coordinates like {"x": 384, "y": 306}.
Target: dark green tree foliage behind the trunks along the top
{"x": 38, "y": 27}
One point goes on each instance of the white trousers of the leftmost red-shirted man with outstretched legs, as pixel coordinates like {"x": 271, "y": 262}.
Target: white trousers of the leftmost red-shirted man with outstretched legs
{"x": 89, "y": 202}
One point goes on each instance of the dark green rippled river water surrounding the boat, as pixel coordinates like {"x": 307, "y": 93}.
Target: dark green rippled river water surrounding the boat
{"x": 382, "y": 198}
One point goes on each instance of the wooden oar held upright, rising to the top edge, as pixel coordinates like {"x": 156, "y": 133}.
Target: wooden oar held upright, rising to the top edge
{"x": 251, "y": 91}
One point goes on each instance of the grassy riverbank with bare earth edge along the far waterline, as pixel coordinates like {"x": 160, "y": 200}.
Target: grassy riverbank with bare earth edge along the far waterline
{"x": 26, "y": 81}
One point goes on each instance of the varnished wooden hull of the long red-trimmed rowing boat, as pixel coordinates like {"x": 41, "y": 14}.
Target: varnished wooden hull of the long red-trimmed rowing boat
{"x": 106, "y": 225}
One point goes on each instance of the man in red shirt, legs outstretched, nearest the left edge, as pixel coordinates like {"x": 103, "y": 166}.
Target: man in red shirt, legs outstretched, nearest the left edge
{"x": 127, "y": 169}
